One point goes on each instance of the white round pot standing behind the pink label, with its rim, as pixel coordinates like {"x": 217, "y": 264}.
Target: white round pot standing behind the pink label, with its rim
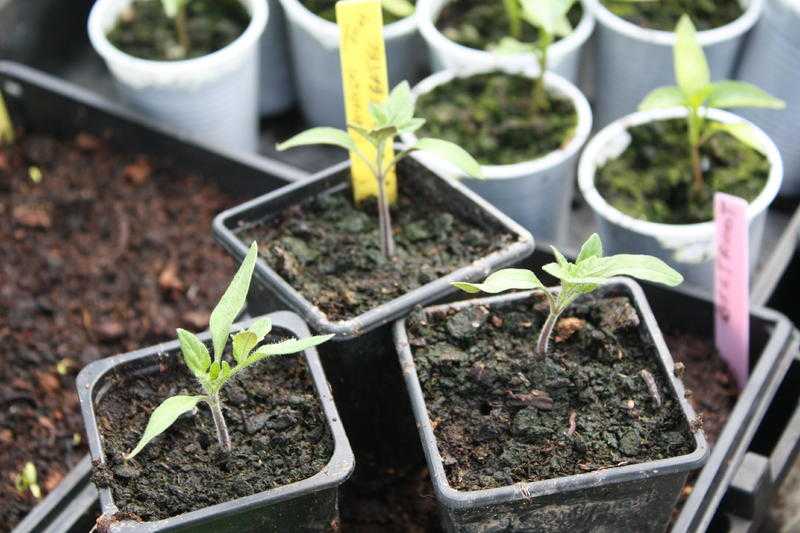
{"x": 689, "y": 248}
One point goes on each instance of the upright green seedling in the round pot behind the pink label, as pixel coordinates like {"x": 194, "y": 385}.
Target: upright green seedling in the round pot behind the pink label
{"x": 695, "y": 91}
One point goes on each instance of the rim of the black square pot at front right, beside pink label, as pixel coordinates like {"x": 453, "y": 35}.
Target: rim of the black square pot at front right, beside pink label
{"x": 460, "y": 499}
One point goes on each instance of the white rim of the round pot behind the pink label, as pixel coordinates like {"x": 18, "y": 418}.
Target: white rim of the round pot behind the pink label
{"x": 605, "y": 140}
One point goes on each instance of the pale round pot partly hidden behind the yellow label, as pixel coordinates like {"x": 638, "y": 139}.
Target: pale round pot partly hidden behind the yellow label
{"x": 314, "y": 44}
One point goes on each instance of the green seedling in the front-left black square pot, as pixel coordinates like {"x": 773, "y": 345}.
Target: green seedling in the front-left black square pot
{"x": 212, "y": 375}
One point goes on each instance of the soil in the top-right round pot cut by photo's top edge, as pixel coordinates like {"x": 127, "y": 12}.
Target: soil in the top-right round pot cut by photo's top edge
{"x": 665, "y": 14}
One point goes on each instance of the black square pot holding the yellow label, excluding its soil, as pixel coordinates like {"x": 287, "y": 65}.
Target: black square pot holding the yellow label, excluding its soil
{"x": 360, "y": 361}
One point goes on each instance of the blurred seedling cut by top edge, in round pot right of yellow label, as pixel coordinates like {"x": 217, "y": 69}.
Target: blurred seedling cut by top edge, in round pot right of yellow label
{"x": 549, "y": 17}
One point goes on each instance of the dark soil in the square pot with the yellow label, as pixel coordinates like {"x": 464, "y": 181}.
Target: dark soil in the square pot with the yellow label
{"x": 329, "y": 250}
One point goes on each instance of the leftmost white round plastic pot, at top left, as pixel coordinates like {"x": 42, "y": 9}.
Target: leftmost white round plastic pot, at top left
{"x": 213, "y": 98}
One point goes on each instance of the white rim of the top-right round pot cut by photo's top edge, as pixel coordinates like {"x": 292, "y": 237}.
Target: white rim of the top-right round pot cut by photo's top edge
{"x": 732, "y": 30}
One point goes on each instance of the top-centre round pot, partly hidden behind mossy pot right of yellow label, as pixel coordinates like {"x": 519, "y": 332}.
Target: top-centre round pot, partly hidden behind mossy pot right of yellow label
{"x": 564, "y": 55}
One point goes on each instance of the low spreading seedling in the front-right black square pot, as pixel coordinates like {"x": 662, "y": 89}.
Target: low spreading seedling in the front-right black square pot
{"x": 589, "y": 271}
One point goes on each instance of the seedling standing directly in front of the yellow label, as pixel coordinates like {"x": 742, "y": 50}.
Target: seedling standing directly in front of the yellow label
{"x": 391, "y": 118}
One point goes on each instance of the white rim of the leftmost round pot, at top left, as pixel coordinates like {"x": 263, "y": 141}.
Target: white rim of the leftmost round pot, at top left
{"x": 140, "y": 72}
